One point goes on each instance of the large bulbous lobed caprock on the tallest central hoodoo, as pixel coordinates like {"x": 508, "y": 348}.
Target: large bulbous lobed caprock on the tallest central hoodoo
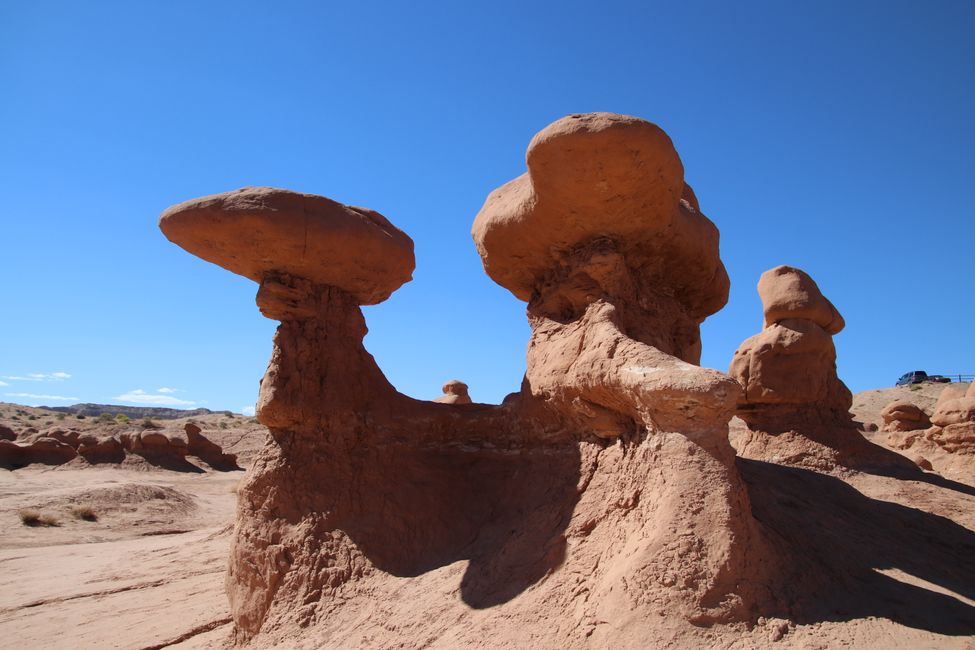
{"x": 611, "y": 179}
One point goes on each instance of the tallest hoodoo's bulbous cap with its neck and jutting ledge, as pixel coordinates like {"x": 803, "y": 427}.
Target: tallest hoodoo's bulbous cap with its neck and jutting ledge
{"x": 606, "y": 242}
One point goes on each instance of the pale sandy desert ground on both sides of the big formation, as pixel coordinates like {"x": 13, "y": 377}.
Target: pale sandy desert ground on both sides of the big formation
{"x": 134, "y": 556}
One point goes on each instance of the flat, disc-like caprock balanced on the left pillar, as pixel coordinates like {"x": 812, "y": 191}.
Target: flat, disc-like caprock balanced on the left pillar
{"x": 257, "y": 231}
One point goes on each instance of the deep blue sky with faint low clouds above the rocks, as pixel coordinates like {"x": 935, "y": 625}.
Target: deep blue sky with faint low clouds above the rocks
{"x": 833, "y": 136}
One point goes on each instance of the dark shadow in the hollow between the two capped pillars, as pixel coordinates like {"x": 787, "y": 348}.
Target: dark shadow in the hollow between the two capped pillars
{"x": 415, "y": 510}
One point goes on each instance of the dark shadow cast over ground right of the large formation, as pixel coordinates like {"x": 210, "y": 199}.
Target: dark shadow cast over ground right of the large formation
{"x": 835, "y": 541}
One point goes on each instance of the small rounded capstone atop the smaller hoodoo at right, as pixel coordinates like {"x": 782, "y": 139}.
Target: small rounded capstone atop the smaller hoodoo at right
{"x": 789, "y": 293}
